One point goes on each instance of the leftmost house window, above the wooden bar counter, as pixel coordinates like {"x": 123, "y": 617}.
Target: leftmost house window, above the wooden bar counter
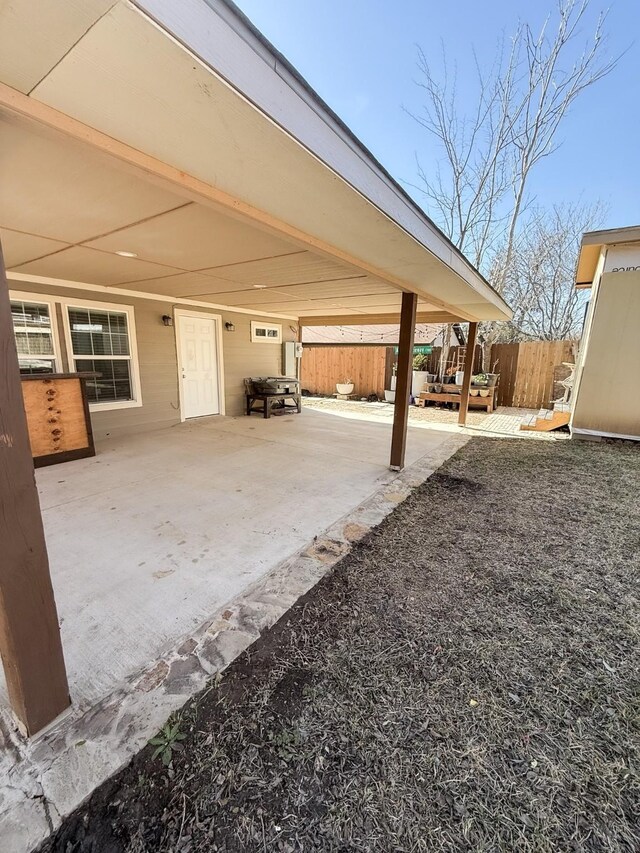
{"x": 34, "y": 334}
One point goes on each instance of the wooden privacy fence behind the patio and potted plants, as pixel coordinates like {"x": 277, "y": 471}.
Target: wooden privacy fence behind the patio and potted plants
{"x": 527, "y": 370}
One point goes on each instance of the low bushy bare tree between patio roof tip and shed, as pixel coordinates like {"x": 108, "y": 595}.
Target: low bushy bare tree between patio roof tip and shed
{"x": 539, "y": 282}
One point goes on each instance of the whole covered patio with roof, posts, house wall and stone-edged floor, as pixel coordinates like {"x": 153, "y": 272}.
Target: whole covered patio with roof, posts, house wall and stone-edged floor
{"x": 177, "y": 204}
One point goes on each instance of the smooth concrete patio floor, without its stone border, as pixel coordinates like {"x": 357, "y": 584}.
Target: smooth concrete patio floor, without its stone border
{"x": 161, "y": 530}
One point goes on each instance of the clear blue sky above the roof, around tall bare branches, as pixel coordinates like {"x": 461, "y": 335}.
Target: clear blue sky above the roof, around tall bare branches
{"x": 360, "y": 56}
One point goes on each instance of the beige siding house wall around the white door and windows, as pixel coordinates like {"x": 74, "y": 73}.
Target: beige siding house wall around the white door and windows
{"x": 158, "y": 359}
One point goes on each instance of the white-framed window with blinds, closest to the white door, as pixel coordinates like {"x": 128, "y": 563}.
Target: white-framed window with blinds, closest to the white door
{"x": 101, "y": 343}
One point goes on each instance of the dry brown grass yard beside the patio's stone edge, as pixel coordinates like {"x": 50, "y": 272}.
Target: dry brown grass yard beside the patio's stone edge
{"x": 465, "y": 680}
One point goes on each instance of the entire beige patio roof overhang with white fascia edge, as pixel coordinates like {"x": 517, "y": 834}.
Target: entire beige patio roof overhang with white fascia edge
{"x": 174, "y": 132}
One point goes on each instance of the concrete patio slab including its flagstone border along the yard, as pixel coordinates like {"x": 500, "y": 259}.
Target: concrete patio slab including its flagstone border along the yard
{"x": 170, "y": 552}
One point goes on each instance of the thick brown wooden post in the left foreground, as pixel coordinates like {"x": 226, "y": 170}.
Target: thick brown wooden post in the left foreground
{"x": 30, "y": 643}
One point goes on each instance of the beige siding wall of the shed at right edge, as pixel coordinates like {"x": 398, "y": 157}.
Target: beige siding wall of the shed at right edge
{"x": 608, "y": 396}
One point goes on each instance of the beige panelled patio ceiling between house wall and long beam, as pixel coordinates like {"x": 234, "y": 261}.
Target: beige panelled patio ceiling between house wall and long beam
{"x": 67, "y": 210}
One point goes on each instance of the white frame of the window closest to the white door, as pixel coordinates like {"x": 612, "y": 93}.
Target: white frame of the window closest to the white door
{"x": 134, "y": 366}
